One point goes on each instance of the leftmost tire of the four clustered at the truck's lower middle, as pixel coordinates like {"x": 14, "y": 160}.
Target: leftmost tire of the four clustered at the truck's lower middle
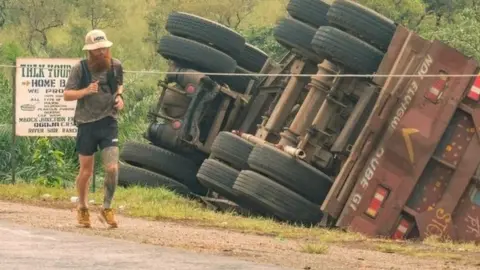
{"x": 218, "y": 177}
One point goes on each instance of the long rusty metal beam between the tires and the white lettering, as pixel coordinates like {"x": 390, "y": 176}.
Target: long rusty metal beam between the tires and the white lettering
{"x": 411, "y": 55}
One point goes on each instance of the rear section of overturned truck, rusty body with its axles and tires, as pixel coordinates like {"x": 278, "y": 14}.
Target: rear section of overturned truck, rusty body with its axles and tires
{"x": 387, "y": 155}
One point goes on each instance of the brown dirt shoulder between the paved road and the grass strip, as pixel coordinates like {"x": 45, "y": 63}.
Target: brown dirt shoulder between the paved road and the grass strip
{"x": 253, "y": 248}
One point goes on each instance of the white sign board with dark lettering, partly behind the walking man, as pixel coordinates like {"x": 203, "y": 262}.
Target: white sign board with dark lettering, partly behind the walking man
{"x": 39, "y": 106}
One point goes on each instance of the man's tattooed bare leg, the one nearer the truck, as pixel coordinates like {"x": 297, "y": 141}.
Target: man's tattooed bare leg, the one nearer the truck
{"x": 110, "y": 163}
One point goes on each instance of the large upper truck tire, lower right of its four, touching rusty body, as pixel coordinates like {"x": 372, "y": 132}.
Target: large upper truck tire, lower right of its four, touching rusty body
{"x": 347, "y": 50}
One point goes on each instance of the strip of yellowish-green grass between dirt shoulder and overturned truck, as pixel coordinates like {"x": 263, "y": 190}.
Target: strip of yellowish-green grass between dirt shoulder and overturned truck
{"x": 159, "y": 204}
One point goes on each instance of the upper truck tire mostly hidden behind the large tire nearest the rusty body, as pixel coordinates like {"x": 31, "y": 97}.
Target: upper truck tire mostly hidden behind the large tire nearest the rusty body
{"x": 291, "y": 33}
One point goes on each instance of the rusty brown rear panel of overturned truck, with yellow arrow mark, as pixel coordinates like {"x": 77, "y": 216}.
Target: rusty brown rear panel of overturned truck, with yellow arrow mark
{"x": 405, "y": 161}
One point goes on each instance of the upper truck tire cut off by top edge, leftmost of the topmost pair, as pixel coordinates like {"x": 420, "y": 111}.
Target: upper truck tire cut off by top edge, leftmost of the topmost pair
{"x": 312, "y": 12}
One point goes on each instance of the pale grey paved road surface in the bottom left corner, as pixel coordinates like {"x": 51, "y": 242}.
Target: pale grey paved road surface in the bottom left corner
{"x": 61, "y": 250}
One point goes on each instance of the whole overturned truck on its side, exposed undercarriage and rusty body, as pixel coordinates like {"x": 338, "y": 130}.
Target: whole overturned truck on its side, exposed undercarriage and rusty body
{"x": 384, "y": 155}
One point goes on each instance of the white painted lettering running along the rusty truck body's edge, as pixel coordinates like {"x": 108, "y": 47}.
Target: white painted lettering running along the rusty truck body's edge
{"x": 374, "y": 161}
